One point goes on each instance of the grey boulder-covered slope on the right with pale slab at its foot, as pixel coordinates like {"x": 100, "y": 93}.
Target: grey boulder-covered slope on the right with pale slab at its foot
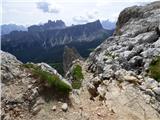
{"x": 120, "y": 64}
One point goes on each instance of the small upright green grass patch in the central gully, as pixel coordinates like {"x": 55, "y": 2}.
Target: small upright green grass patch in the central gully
{"x": 77, "y": 77}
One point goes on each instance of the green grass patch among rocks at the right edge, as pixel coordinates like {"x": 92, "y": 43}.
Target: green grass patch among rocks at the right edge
{"x": 154, "y": 69}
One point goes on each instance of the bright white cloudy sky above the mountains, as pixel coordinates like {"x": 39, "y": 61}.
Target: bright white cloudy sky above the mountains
{"x": 28, "y": 12}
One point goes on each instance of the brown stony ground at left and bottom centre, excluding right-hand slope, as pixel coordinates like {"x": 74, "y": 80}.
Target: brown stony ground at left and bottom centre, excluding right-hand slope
{"x": 22, "y": 98}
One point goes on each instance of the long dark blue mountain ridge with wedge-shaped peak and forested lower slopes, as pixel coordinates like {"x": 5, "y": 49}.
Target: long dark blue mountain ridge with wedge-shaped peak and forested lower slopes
{"x": 48, "y": 45}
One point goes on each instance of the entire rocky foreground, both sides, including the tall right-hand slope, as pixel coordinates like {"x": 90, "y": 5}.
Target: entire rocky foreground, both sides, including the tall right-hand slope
{"x": 116, "y": 84}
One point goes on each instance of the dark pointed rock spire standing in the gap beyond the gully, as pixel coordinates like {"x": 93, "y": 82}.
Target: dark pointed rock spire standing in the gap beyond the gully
{"x": 69, "y": 55}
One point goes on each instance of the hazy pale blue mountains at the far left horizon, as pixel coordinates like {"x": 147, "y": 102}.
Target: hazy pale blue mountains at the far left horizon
{"x": 7, "y": 28}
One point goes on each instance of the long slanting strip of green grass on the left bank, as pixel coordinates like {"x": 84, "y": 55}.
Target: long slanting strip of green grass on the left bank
{"x": 52, "y": 80}
